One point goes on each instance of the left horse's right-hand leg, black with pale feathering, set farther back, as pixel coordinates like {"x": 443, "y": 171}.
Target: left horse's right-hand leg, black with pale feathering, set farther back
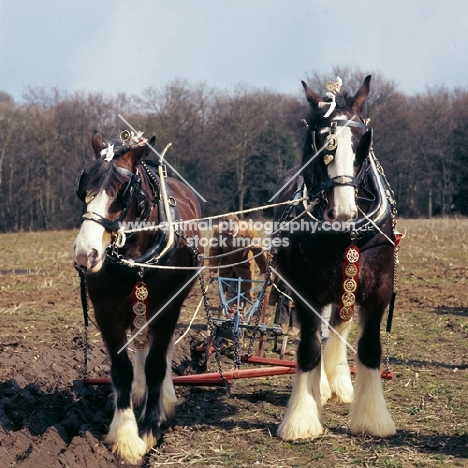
{"x": 161, "y": 399}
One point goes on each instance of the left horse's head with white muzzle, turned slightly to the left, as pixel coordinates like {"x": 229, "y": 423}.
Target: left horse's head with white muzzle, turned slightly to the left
{"x": 108, "y": 187}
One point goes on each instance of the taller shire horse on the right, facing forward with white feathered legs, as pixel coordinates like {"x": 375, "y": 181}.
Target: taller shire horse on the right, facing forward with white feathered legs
{"x": 336, "y": 246}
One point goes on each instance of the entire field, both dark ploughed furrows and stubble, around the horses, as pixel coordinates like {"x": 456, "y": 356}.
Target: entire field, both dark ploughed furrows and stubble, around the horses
{"x": 50, "y": 419}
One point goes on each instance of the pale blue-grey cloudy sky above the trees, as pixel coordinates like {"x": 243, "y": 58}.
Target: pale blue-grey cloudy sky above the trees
{"x": 126, "y": 46}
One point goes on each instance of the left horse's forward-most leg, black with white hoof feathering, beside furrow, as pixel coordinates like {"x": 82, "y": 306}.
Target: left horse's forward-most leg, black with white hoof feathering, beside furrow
{"x": 123, "y": 431}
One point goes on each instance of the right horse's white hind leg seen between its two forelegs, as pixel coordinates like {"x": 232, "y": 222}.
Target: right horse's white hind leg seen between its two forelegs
{"x": 336, "y": 362}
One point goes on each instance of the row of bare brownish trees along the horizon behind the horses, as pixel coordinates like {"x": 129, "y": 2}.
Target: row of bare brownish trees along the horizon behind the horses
{"x": 231, "y": 145}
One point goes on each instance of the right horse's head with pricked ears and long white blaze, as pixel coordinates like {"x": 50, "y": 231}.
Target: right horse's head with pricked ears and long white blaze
{"x": 337, "y": 144}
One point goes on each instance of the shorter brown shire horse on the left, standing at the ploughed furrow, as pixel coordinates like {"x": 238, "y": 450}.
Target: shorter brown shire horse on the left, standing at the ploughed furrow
{"x": 122, "y": 186}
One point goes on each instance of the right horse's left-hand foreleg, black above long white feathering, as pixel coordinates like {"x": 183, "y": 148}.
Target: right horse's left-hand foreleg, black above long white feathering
{"x": 302, "y": 419}
